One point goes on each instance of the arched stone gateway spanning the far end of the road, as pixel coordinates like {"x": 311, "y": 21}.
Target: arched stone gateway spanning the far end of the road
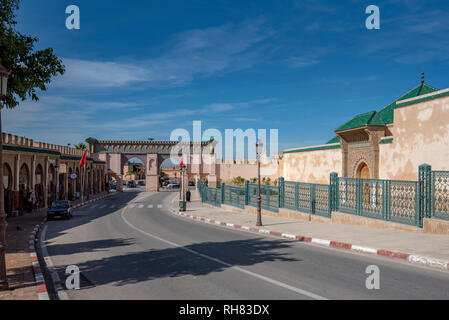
{"x": 198, "y": 157}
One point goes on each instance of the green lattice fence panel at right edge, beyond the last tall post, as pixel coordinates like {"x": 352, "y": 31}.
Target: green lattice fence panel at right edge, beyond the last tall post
{"x": 440, "y": 195}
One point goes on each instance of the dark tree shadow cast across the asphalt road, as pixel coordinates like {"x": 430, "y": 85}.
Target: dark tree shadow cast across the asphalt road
{"x": 149, "y": 265}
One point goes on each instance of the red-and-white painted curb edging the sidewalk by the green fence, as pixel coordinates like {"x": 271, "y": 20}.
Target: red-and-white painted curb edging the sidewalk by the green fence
{"x": 415, "y": 259}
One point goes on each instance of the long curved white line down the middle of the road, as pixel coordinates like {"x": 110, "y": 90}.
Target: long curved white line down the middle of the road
{"x": 250, "y": 273}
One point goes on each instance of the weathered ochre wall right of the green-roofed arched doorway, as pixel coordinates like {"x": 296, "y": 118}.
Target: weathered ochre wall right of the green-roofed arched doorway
{"x": 421, "y": 135}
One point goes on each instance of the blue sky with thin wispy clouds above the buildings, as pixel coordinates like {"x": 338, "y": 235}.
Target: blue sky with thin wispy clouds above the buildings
{"x": 140, "y": 69}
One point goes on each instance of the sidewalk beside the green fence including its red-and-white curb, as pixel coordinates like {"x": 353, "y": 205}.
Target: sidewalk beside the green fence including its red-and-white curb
{"x": 420, "y": 248}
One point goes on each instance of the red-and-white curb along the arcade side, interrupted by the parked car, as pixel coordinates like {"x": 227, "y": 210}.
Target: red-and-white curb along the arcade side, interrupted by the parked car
{"x": 41, "y": 287}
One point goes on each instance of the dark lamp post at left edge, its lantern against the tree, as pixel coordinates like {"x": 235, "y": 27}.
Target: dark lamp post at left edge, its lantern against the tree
{"x": 4, "y": 73}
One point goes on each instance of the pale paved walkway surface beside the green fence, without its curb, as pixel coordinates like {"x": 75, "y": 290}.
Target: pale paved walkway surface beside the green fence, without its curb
{"x": 435, "y": 246}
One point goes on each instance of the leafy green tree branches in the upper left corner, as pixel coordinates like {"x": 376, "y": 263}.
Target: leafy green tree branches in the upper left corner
{"x": 31, "y": 70}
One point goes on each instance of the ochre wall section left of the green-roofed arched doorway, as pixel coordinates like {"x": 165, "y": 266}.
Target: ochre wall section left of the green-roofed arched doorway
{"x": 312, "y": 166}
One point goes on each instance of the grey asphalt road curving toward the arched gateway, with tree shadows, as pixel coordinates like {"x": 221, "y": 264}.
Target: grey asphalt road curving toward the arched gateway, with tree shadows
{"x": 130, "y": 247}
